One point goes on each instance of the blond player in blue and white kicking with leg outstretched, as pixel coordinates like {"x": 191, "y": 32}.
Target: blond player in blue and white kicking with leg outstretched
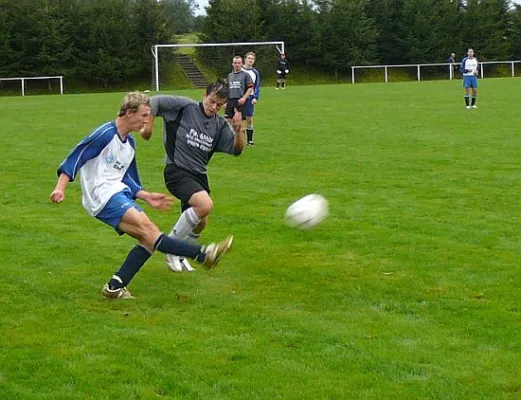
{"x": 110, "y": 185}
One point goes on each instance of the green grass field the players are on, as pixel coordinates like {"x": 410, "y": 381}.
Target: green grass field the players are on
{"x": 409, "y": 290}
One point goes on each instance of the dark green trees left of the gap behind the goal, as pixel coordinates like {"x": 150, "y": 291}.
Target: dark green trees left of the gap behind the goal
{"x": 95, "y": 42}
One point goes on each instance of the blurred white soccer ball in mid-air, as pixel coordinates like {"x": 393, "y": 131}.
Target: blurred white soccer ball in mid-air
{"x": 307, "y": 212}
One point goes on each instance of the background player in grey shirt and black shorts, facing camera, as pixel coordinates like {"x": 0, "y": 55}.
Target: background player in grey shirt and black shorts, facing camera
{"x": 241, "y": 87}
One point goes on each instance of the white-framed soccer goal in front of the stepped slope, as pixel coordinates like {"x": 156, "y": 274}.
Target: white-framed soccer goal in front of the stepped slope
{"x": 184, "y": 66}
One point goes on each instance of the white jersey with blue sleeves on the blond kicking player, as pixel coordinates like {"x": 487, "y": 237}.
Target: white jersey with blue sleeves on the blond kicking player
{"x": 107, "y": 165}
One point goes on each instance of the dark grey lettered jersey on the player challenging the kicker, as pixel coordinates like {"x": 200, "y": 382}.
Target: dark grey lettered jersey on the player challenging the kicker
{"x": 189, "y": 136}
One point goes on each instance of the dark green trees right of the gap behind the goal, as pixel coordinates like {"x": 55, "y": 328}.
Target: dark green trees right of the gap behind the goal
{"x": 336, "y": 34}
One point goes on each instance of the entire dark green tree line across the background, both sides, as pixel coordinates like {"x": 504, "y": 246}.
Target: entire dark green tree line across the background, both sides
{"x": 105, "y": 42}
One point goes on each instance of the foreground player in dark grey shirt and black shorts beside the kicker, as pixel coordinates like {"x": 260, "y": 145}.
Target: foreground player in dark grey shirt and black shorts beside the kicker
{"x": 192, "y": 133}
